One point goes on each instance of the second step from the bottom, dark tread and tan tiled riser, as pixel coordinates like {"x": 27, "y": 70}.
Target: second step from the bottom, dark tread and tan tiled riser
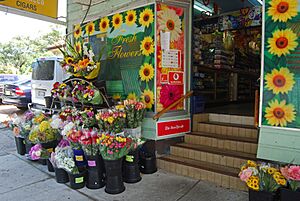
{"x": 213, "y": 155}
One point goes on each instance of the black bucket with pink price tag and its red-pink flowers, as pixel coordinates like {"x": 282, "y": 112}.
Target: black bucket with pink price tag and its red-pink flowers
{"x": 95, "y": 166}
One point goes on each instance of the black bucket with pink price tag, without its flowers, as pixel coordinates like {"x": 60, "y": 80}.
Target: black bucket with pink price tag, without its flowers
{"x": 95, "y": 174}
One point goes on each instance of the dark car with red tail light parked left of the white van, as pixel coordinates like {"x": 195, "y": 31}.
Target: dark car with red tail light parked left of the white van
{"x": 18, "y": 93}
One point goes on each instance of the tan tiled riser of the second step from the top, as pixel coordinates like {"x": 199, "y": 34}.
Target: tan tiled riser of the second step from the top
{"x": 227, "y": 130}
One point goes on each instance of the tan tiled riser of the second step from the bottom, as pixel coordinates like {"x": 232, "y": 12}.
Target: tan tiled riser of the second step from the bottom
{"x": 209, "y": 157}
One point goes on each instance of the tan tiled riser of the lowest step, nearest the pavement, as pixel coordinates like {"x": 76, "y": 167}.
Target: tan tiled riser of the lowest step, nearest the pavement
{"x": 196, "y": 173}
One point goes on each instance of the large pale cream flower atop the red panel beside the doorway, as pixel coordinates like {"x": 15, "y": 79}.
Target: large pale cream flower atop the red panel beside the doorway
{"x": 169, "y": 21}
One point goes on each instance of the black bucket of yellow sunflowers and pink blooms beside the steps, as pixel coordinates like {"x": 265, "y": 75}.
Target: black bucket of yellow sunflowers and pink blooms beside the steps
{"x": 263, "y": 181}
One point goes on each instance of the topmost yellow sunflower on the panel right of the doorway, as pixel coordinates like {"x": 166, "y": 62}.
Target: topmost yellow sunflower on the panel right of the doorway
{"x": 283, "y": 10}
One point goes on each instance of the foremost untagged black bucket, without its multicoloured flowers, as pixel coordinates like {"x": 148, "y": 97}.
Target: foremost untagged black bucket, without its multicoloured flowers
{"x": 114, "y": 180}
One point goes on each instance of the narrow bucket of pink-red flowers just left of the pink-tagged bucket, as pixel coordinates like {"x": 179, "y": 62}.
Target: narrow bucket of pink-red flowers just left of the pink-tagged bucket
{"x": 73, "y": 137}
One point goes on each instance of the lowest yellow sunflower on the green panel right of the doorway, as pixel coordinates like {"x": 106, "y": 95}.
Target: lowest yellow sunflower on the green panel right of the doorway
{"x": 279, "y": 113}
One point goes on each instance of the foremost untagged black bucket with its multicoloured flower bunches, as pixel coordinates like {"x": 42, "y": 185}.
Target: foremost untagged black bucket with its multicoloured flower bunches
{"x": 113, "y": 148}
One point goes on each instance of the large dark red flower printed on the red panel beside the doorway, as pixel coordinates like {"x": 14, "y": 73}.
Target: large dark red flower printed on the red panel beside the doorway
{"x": 169, "y": 94}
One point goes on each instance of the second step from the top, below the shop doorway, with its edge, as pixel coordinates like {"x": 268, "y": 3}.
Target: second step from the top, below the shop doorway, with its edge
{"x": 227, "y": 129}
